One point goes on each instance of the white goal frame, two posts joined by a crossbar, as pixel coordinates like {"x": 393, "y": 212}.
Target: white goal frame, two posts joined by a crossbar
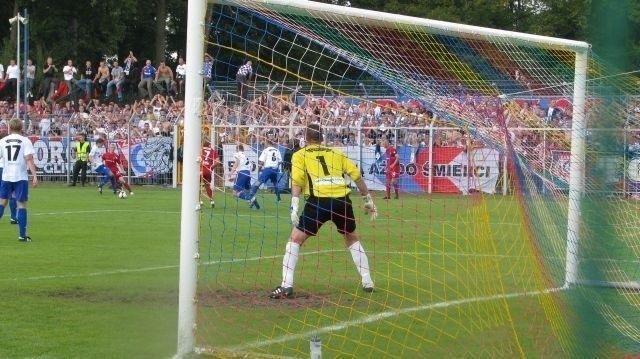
{"x": 192, "y": 128}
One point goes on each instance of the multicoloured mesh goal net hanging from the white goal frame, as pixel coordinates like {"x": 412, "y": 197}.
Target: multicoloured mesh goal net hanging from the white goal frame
{"x": 515, "y": 227}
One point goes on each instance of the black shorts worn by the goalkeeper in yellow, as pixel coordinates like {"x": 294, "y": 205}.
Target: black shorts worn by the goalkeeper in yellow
{"x": 319, "y": 210}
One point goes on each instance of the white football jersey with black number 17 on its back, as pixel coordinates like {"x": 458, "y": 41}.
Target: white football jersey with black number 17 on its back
{"x": 13, "y": 149}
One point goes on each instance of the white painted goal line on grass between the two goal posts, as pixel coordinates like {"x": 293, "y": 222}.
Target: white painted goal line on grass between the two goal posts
{"x": 383, "y": 315}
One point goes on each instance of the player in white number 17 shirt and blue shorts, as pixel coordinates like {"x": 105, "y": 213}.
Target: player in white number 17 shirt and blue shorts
{"x": 16, "y": 152}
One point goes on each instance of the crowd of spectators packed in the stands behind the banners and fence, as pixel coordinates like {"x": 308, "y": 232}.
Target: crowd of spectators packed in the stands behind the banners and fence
{"x": 114, "y": 101}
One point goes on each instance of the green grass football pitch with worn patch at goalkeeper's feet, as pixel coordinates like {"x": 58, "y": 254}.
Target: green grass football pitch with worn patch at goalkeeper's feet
{"x": 100, "y": 279}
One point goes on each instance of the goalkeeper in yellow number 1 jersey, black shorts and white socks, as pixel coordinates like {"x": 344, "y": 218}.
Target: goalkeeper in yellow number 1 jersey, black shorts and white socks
{"x": 318, "y": 172}
